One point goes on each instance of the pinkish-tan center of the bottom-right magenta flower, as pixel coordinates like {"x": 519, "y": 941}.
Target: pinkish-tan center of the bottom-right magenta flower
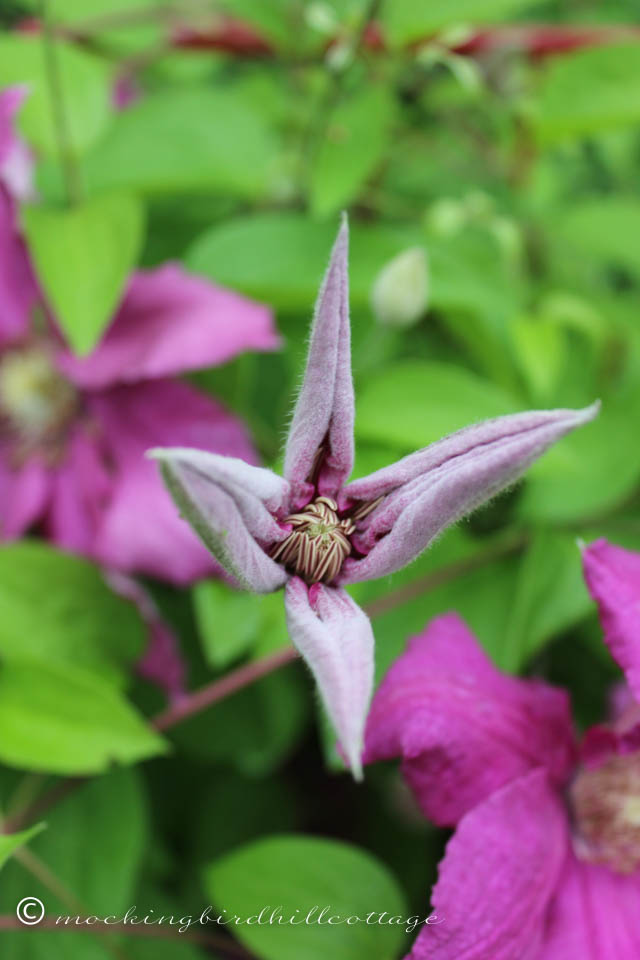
{"x": 606, "y": 806}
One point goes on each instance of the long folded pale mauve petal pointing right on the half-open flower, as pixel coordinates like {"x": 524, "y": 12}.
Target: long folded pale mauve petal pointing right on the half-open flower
{"x": 429, "y": 490}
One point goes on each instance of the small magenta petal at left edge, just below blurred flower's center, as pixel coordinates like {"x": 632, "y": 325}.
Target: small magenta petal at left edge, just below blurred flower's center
{"x": 24, "y": 491}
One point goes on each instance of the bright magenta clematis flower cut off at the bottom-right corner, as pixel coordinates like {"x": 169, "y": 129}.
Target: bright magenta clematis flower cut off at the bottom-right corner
{"x": 544, "y": 863}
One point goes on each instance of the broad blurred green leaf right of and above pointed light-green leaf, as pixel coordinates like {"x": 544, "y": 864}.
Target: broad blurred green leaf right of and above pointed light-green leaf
{"x": 180, "y": 140}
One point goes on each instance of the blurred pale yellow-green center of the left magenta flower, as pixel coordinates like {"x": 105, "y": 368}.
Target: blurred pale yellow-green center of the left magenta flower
{"x": 35, "y": 399}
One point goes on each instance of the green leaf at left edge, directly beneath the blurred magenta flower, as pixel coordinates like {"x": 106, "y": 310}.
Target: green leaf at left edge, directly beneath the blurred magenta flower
{"x": 56, "y": 608}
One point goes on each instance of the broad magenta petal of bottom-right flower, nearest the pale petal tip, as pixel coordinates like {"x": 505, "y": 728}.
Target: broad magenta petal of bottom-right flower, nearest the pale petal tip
{"x": 461, "y": 727}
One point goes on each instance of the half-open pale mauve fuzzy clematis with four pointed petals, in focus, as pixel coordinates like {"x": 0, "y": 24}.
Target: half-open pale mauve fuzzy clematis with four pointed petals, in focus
{"x": 314, "y": 533}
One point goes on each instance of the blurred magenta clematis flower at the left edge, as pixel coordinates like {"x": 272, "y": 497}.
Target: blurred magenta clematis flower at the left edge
{"x": 73, "y": 431}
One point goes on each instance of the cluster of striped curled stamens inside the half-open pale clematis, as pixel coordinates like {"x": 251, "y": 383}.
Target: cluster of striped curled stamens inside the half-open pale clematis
{"x": 318, "y": 544}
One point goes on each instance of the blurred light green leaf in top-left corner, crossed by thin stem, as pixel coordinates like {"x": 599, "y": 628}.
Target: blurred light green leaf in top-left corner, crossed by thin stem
{"x": 86, "y": 87}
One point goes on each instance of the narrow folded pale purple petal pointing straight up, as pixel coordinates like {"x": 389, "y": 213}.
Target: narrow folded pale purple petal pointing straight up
{"x": 320, "y": 440}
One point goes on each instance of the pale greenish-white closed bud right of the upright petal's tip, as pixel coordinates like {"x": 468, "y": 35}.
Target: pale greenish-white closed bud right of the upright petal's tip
{"x": 399, "y": 294}
